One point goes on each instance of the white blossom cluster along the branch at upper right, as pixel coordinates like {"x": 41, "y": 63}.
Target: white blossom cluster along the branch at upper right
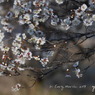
{"x": 75, "y": 19}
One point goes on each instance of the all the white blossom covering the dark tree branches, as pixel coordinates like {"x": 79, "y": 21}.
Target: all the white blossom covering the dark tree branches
{"x": 31, "y": 13}
